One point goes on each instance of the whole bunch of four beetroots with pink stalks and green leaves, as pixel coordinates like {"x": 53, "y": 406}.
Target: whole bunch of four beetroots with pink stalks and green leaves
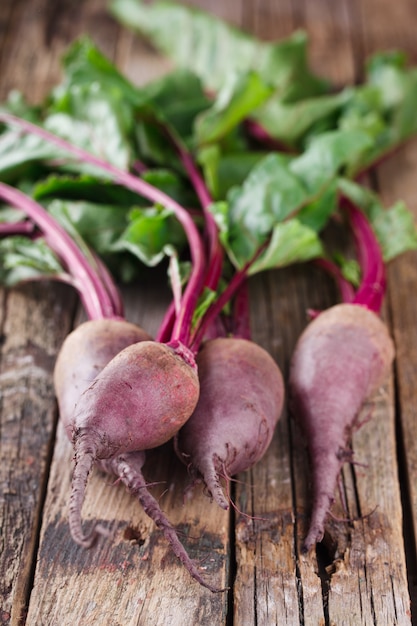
{"x": 201, "y": 381}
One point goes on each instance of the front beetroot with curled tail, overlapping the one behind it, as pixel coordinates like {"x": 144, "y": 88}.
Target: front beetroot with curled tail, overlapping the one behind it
{"x": 138, "y": 401}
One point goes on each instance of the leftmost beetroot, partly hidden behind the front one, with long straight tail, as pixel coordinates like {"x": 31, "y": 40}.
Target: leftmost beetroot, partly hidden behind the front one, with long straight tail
{"x": 84, "y": 354}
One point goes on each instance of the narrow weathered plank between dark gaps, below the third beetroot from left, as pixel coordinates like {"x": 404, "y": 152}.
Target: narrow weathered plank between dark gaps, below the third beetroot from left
{"x": 265, "y": 585}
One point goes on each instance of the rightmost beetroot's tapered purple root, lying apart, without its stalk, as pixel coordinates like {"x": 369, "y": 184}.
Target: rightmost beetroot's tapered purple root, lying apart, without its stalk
{"x": 342, "y": 357}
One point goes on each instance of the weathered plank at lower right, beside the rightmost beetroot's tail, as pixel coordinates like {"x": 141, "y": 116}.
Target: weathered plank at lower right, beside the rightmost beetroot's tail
{"x": 368, "y": 573}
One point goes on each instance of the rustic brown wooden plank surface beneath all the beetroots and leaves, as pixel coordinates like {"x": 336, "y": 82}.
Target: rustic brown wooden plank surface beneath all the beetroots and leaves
{"x": 364, "y": 572}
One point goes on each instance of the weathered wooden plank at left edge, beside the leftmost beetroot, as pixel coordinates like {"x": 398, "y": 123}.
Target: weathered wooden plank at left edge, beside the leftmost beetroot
{"x": 31, "y": 338}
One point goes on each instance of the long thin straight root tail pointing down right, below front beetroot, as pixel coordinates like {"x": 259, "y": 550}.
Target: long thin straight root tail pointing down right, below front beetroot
{"x": 131, "y": 475}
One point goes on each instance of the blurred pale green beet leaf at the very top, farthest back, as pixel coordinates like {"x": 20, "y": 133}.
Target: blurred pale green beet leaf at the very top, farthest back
{"x": 214, "y": 50}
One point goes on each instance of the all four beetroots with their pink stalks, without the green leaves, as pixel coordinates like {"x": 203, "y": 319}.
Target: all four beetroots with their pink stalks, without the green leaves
{"x": 205, "y": 384}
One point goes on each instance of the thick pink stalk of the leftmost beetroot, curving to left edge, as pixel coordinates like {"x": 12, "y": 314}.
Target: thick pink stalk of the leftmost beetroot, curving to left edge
{"x": 95, "y": 298}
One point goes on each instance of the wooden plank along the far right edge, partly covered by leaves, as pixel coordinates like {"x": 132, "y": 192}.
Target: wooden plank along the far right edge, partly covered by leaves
{"x": 392, "y": 26}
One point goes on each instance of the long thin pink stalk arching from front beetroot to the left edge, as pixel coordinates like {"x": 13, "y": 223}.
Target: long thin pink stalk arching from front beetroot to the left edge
{"x": 182, "y": 325}
